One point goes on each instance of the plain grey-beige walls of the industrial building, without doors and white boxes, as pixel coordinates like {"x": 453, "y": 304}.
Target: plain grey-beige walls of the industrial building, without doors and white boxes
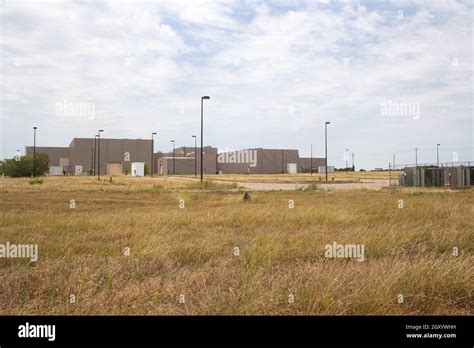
{"x": 80, "y": 152}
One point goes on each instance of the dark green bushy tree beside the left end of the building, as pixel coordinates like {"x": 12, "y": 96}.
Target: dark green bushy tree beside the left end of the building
{"x": 23, "y": 166}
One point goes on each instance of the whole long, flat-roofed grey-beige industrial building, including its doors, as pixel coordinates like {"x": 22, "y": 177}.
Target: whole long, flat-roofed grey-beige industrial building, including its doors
{"x": 117, "y": 156}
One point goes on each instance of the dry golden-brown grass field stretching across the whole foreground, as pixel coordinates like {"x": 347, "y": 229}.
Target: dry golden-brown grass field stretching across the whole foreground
{"x": 129, "y": 248}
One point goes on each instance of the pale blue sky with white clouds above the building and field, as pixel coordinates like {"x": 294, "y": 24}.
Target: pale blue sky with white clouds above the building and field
{"x": 389, "y": 76}
